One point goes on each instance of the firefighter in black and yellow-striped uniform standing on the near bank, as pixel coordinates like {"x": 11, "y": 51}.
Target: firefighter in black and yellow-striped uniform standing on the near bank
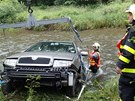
{"x": 126, "y": 61}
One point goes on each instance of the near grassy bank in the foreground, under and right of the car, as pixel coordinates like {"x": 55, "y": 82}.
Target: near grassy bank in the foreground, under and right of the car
{"x": 99, "y": 91}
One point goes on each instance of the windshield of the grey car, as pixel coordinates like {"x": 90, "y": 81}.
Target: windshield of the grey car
{"x": 53, "y": 47}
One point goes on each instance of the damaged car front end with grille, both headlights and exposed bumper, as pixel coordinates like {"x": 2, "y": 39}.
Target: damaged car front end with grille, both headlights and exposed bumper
{"x": 52, "y": 72}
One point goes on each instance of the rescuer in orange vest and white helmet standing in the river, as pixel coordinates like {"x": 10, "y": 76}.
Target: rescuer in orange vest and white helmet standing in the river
{"x": 94, "y": 57}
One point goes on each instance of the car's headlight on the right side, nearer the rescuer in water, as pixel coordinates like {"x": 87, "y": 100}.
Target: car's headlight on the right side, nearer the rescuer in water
{"x": 61, "y": 63}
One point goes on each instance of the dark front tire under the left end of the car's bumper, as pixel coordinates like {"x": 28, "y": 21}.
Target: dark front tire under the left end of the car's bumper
{"x": 7, "y": 88}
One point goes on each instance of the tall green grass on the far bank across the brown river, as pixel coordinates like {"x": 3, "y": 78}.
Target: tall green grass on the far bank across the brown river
{"x": 89, "y": 17}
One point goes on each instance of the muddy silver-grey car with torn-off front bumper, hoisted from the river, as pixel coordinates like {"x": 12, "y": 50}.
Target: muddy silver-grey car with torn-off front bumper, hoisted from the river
{"x": 57, "y": 63}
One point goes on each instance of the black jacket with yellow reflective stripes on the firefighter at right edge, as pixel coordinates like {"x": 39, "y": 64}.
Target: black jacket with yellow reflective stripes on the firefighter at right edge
{"x": 126, "y": 60}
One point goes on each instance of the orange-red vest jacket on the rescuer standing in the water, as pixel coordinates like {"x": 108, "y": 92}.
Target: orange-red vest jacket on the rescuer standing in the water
{"x": 94, "y": 59}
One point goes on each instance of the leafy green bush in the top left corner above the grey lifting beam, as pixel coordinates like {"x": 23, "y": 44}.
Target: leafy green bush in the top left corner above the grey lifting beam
{"x": 8, "y": 9}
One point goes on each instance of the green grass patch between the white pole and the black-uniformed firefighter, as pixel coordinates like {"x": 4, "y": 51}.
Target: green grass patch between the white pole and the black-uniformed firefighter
{"x": 102, "y": 91}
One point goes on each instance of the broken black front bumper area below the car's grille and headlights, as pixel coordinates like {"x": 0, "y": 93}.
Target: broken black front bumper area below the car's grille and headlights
{"x": 47, "y": 77}
